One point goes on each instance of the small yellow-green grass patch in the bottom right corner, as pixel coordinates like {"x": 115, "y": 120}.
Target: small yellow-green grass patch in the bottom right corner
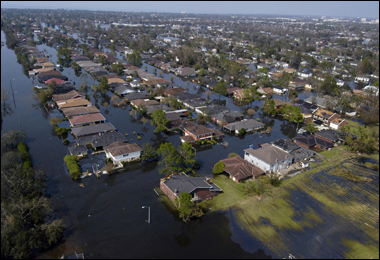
{"x": 360, "y": 251}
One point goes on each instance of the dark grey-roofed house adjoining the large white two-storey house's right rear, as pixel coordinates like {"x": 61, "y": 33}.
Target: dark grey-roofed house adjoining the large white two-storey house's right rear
{"x": 299, "y": 152}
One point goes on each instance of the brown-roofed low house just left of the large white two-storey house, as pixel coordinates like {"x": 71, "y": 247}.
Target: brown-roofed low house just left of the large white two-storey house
{"x": 239, "y": 169}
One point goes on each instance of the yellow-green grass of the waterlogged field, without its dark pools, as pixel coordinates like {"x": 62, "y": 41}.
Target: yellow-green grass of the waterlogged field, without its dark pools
{"x": 273, "y": 217}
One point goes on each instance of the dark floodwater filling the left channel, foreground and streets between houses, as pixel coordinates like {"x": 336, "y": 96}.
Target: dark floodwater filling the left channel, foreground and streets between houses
{"x": 105, "y": 218}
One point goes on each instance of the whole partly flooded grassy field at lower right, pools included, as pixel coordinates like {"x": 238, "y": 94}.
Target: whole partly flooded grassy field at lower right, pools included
{"x": 308, "y": 204}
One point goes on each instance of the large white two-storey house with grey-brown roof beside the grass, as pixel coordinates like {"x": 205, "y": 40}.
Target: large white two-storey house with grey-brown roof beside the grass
{"x": 268, "y": 158}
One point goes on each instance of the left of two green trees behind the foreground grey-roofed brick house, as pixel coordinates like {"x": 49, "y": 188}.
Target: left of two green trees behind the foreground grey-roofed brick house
{"x": 171, "y": 159}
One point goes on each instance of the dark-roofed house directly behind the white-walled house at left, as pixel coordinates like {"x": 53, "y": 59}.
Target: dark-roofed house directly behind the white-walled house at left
{"x": 97, "y": 142}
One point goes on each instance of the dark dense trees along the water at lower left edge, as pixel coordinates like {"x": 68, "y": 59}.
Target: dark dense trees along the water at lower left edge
{"x": 27, "y": 223}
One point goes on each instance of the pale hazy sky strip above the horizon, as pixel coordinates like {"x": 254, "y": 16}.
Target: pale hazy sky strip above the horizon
{"x": 362, "y": 9}
